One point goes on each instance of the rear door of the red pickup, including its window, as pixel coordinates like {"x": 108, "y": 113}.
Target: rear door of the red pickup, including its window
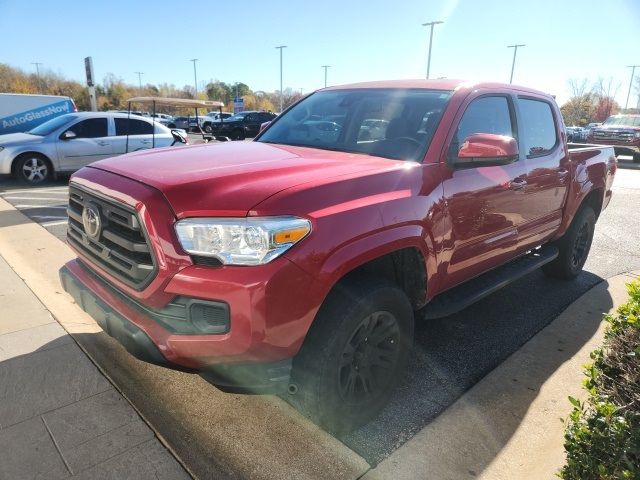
{"x": 548, "y": 169}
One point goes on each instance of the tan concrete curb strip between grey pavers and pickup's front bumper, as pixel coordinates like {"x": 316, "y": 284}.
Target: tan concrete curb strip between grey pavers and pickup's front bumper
{"x": 213, "y": 435}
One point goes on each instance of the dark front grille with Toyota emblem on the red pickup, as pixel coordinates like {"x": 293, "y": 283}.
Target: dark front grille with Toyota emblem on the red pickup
{"x": 115, "y": 241}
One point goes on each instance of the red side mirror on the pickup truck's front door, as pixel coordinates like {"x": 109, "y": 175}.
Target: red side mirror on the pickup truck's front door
{"x": 486, "y": 150}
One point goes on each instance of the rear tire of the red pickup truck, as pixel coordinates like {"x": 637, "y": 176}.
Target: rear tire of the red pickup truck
{"x": 574, "y": 246}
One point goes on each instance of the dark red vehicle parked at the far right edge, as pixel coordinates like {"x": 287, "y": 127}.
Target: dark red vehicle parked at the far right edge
{"x": 620, "y": 131}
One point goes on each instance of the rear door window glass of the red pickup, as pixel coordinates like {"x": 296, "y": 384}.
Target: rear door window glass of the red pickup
{"x": 537, "y": 127}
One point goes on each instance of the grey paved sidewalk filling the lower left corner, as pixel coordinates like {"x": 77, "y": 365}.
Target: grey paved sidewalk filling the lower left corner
{"x": 59, "y": 416}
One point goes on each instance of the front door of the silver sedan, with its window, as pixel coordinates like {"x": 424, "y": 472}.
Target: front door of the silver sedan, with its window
{"x": 91, "y": 143}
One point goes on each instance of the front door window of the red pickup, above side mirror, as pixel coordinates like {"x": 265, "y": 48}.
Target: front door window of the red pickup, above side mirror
{"x": 483, "y": 115}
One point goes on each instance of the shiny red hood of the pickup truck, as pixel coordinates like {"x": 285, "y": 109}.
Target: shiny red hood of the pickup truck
{"x": 230, "y": 178}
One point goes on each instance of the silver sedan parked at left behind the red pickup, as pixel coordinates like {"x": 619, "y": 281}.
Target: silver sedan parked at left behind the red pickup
{"x": 69, "y": 142}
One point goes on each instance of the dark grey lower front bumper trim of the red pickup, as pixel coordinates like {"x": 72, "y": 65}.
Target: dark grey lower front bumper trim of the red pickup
{"x": 114, "y": 317}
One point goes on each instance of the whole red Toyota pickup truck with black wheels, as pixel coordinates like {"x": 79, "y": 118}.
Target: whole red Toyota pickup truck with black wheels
{"x": 294, "y": 263}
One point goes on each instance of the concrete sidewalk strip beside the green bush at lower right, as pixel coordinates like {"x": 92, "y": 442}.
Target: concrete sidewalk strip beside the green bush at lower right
{"x": 509, "y": 424}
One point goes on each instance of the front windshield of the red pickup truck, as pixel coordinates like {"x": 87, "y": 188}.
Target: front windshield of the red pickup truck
{"x": 390, "y": 123}
